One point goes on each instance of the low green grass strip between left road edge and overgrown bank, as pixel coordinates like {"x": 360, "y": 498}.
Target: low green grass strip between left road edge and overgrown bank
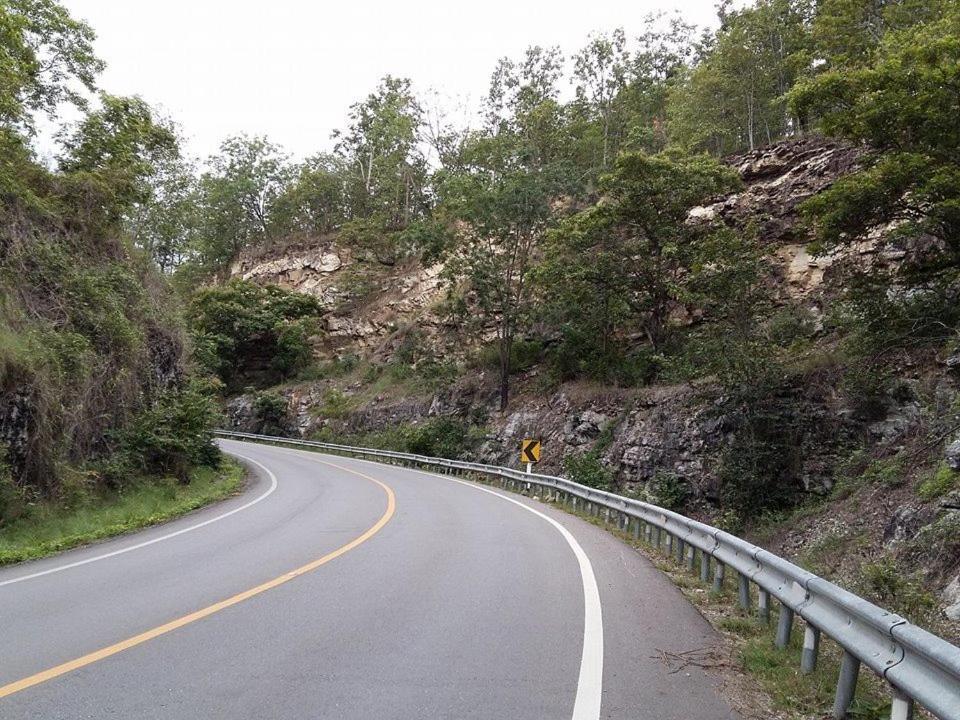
{"x": 49, "y": 528}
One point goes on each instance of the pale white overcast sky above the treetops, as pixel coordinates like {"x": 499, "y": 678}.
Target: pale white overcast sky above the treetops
{"x": 290, "y": 69}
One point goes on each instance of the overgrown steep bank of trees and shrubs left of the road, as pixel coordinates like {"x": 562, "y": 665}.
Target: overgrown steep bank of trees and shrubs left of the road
{"x": 96, "y": 393}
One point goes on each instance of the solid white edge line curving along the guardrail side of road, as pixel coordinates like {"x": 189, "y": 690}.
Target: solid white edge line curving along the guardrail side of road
{"x": 586, "y": 706}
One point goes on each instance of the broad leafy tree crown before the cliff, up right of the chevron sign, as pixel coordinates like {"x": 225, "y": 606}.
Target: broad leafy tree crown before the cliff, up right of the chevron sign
{"x": 632, "y": 259}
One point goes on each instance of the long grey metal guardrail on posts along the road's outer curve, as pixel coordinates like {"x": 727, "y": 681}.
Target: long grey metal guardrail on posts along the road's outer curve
{"x": 919, "y": 667}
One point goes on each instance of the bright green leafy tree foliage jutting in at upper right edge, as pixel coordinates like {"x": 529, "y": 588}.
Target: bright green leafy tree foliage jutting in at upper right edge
{"x": 904, "y": 104}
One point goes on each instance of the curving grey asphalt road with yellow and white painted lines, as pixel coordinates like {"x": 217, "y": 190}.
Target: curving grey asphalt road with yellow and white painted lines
{"x": 341, "y": 589}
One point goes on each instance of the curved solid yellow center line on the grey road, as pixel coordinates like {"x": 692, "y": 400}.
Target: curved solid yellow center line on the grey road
{"x": 143, "y": 637}
